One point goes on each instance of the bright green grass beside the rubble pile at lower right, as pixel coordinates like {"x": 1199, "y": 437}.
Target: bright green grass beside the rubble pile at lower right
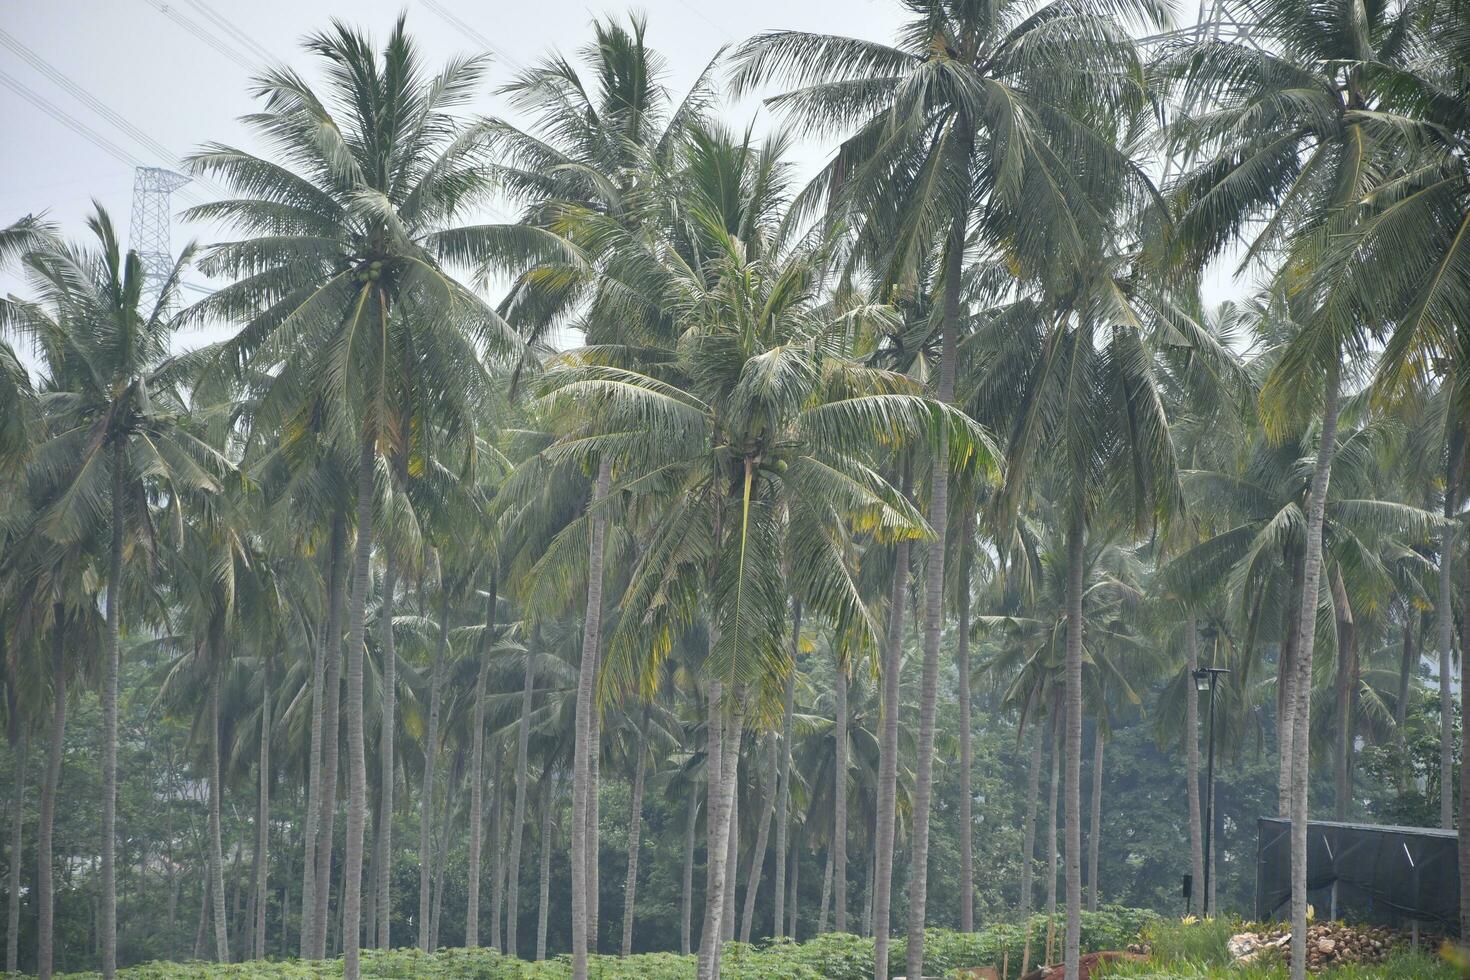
{"x": 1197, "y": 951}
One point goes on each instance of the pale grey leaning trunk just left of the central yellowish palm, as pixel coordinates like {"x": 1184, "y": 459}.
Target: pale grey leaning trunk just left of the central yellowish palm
{"x": 583, "y": 744}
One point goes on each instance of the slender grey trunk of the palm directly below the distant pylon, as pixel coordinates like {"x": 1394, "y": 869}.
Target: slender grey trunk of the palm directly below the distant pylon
{"x": 110, "y": 728}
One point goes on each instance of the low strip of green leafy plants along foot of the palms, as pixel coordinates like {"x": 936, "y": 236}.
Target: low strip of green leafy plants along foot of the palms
{"x": 830, "y": 957}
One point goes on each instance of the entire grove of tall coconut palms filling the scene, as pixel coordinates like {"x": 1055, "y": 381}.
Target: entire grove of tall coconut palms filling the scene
{"x": 393, "y": 590}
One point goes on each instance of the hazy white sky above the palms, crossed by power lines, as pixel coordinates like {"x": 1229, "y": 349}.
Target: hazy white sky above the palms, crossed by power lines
{"x": 152, "y": 80}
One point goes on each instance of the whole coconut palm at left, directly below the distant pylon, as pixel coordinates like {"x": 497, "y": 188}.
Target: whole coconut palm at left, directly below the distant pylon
{"x": 121, "y": 430}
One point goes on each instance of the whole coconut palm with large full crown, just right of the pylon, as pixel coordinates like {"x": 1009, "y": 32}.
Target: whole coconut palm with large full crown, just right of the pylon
{"x": 340, "y": 286}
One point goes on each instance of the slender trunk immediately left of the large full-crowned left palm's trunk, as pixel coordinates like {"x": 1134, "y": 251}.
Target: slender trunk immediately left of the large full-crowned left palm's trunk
{"x": 331, "y": 750}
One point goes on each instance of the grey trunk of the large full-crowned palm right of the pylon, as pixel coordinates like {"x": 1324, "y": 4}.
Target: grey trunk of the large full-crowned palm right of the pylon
{"x": 356, "y": 749}
